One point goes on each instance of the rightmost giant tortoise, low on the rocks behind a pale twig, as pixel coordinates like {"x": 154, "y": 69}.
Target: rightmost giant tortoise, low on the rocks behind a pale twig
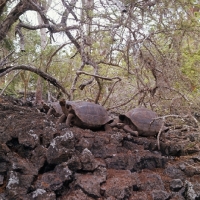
{"x": 140, "y": 121}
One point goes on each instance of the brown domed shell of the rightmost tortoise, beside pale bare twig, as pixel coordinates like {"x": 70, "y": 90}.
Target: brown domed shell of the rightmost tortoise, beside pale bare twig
{"x": 143, "y": 120}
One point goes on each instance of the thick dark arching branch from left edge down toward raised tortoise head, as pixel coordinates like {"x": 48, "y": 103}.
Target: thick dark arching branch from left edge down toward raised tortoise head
{"x": 44, "y": 75}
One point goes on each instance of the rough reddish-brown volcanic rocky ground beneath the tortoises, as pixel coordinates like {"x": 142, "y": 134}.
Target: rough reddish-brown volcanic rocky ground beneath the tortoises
{"x": 41, "y": 161}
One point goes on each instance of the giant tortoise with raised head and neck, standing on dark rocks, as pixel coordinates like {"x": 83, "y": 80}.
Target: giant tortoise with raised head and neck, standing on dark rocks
{"x": 85, "y": 115}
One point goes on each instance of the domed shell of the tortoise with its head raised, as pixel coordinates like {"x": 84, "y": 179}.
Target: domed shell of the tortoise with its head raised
{"x": 90, "y": 114}
